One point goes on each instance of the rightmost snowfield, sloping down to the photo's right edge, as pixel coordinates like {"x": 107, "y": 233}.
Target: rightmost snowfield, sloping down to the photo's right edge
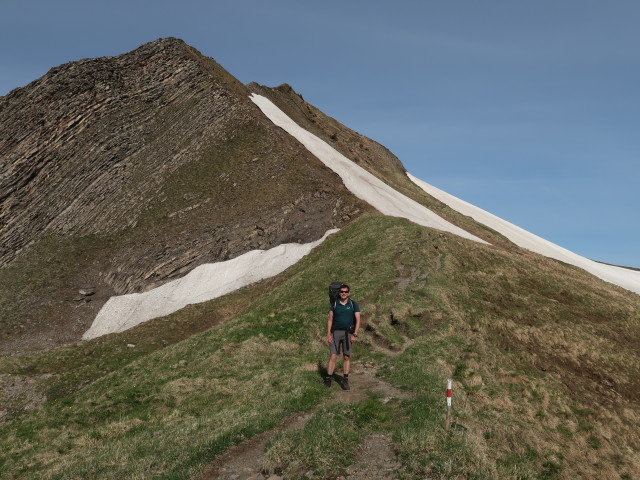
{"x": 623, "y": 277}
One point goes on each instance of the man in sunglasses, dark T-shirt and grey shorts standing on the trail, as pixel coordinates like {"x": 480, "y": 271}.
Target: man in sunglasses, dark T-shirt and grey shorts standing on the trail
{"x": 342, "y": 330}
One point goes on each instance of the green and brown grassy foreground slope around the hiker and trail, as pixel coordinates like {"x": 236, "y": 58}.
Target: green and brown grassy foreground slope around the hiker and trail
{"x": 542, "y": 356}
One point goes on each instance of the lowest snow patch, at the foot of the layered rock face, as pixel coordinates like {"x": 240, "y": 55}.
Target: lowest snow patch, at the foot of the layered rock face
{"x": 203, "y": 283}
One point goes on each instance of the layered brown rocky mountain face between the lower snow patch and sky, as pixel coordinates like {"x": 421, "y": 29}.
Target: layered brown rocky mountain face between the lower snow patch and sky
{"x": 119, "y": 174}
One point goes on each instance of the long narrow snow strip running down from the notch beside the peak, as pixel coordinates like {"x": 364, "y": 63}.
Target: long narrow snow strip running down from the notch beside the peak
{"x": 361, "y": 183}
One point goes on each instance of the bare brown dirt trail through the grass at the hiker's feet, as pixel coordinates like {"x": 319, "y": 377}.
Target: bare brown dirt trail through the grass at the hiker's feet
{"x": 376, "y": 459}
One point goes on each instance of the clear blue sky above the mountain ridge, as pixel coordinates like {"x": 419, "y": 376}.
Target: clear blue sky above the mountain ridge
{"x": 530, "y": 110}
